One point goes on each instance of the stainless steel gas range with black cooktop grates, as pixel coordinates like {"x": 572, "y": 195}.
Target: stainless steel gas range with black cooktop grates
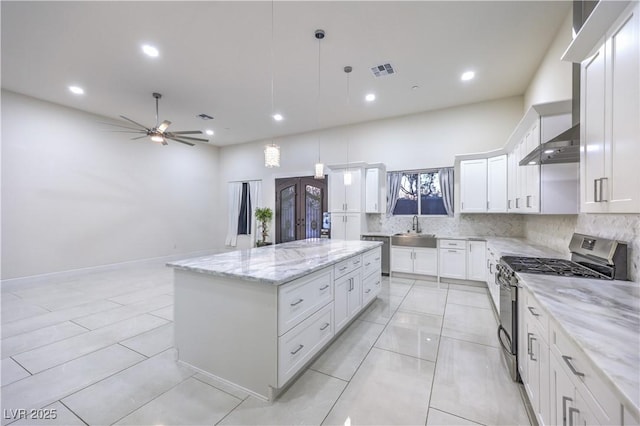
{"x": 591, "y": 257}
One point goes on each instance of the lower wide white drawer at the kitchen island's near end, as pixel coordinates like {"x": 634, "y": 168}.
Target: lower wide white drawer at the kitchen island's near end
{"x": 301, "y": 343}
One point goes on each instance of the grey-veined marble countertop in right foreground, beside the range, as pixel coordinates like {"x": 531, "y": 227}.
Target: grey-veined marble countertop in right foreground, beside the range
{"x": 603, "y": 318}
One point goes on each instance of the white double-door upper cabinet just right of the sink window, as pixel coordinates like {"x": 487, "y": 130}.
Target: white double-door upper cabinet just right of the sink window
{"x": 483, "y": 185}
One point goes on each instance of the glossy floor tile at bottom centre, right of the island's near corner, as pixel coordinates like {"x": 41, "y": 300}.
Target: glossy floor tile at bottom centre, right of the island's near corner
{"x": 388, "y": 389}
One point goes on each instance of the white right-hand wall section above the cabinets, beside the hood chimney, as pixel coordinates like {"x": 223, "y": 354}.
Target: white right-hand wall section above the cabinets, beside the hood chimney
{"x": 552, "y": 80}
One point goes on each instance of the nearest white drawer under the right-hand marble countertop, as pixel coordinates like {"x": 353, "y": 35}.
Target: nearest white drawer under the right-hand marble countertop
{"x": 597, "y": 394}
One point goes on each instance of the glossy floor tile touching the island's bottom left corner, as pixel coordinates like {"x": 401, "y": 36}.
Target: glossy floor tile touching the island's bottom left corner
{"x": 127, "y": 390}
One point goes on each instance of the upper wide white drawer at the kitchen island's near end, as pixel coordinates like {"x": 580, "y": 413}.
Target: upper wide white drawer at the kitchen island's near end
{"x": 300, "y": 298}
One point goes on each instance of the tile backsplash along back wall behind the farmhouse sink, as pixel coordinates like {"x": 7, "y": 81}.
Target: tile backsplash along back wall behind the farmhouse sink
{"x": 503, "y": 225}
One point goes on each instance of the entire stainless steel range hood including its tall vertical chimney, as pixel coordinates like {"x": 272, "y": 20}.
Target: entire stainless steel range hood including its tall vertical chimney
{"x": 565, "y": 148}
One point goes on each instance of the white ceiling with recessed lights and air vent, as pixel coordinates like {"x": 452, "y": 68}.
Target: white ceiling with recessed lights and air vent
{"x": 220, "y": 58}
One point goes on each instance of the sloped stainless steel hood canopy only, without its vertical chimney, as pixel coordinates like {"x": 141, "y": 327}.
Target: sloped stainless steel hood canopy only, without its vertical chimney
{"x": 564, "y": 148}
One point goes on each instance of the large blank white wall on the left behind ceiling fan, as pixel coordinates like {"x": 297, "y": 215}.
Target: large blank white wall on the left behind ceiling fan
{"x": 76, "y": 196}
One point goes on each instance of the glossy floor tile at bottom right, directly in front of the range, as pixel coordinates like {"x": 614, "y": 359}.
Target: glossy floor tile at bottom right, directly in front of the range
{"x": 471, "y": 382}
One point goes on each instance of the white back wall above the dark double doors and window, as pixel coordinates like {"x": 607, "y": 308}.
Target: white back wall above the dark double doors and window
{"x": 425, "y": 140}
